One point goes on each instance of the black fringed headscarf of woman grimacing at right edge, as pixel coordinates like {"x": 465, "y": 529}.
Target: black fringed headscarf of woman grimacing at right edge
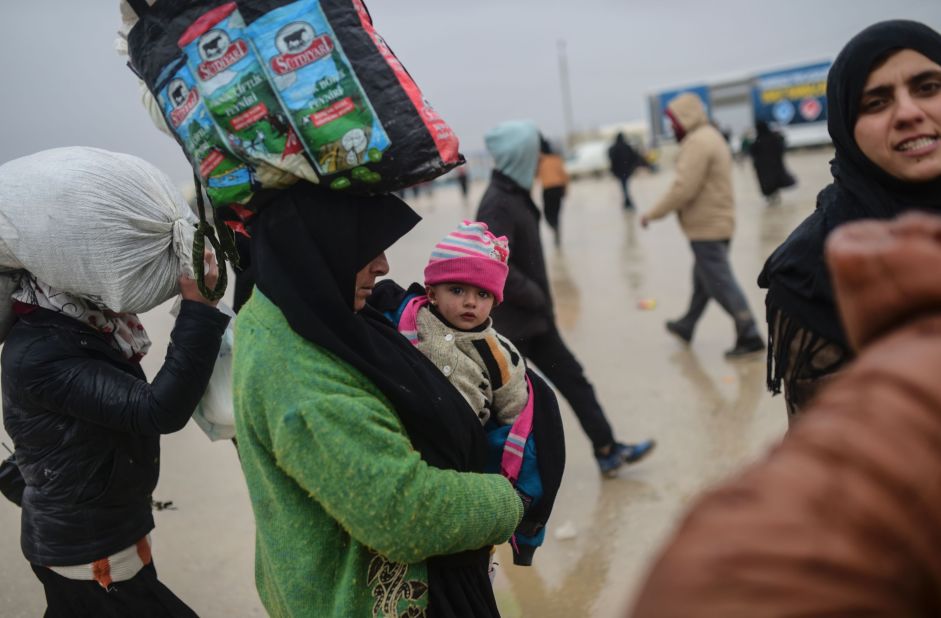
{"x": 796, "y": 274}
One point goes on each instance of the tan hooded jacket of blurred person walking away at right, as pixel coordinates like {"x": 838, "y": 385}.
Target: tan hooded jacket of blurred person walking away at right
{"x": 701, "y": 193}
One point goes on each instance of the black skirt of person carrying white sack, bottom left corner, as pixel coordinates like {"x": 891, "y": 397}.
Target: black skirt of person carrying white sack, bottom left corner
{"x": 141, "y": 596}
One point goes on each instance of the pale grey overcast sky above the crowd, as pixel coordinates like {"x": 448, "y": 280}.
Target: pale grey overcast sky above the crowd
{"x": 478, "y": 62}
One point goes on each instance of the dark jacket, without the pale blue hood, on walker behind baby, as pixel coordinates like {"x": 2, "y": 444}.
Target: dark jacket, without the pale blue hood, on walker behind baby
{"x": 526, "y": 310}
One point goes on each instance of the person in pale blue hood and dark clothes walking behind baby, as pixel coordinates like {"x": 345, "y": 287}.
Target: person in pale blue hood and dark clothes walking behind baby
{"x": 526, "y": 317}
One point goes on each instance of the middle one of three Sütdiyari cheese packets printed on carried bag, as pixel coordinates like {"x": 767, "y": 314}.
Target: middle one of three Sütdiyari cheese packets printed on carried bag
{"x": 237, "y": 93}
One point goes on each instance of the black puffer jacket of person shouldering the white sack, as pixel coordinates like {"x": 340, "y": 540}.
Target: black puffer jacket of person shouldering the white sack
{"x": 86, "y": 426}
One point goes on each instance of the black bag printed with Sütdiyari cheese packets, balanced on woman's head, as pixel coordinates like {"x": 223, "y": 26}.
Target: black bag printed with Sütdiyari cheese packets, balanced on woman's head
{"x": 305, "y": 86}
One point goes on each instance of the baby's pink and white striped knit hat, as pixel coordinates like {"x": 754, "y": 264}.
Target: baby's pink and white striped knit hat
{"x": 473, "y": 255}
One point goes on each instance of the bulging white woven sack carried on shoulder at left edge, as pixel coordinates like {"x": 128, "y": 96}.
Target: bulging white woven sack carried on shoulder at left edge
{"x": 105, "y": 226}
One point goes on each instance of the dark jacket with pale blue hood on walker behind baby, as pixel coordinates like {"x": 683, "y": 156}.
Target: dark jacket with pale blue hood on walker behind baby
{"x": 508, "y": 210}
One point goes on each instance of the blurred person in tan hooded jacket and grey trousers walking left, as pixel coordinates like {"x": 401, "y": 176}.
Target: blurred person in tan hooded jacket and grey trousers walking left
{"x": 701, "y": 195}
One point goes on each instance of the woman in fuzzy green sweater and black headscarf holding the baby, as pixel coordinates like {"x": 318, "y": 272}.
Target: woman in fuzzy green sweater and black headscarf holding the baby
{"x": 363, "y": 463}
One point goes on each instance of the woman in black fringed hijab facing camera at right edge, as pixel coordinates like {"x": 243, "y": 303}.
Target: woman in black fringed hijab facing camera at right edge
{"x": 884, "y": 106}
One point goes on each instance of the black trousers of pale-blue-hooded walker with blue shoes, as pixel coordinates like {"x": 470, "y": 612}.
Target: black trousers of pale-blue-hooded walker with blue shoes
{"x": 552, "y": 357}
